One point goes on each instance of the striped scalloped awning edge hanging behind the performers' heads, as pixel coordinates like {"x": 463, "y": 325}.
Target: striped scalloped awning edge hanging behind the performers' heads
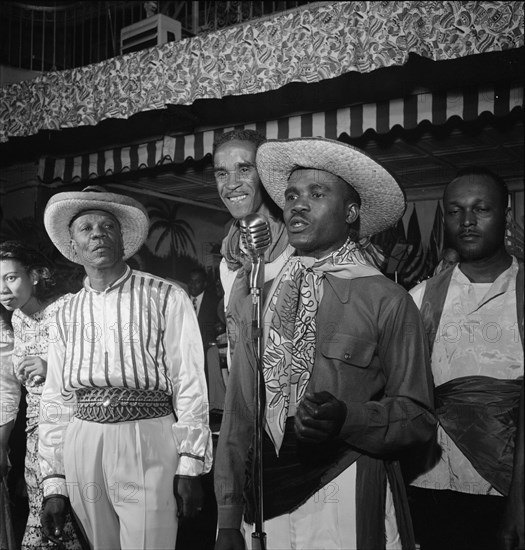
{"x": 355, "y": 120}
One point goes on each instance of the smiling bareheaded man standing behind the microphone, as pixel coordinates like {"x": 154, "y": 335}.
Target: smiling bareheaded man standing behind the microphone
{"x": 240, "y": 189}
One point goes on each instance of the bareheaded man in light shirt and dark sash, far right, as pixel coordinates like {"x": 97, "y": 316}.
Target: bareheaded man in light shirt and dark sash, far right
{"x": 473, "y": 317}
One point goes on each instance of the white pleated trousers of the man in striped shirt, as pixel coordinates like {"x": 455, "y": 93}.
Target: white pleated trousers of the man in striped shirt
{"x": 120, "y": 482}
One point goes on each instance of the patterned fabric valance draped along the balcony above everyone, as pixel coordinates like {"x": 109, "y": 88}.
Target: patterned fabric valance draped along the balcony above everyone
{"x": 307, "y": 45}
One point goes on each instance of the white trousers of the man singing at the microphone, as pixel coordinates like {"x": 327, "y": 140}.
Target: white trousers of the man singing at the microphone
{"x": 326, "y": 521}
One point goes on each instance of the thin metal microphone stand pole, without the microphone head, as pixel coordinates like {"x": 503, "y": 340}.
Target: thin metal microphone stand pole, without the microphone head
{"x": 256, "y": 288}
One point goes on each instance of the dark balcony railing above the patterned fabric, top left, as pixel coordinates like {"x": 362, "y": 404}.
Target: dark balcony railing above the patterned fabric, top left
{"x": 58, "y": 35}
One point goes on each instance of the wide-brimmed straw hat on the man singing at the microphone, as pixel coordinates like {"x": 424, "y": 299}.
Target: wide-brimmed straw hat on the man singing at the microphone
{"x": 382, "y": 200}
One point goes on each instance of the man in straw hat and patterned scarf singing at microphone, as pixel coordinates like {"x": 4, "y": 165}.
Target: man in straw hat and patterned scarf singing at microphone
{"x": 345, "y": 366}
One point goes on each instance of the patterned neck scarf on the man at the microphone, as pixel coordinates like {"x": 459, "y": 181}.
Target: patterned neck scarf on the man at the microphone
{"x": 290, "y": 338}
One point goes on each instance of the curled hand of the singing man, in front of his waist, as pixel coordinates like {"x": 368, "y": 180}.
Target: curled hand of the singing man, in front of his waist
{"x": 319, "y": 417}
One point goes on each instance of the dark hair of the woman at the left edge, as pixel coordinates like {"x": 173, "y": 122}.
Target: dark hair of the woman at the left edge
{"x": 33, "y": 260}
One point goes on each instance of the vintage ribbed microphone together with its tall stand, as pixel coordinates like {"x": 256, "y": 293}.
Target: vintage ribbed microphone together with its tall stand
{"x": 256, "y": 238}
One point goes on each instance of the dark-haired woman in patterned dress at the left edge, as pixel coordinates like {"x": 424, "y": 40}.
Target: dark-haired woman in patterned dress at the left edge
{"x": 27, "y": 288}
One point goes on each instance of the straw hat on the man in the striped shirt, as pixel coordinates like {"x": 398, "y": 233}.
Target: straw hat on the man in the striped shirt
{"x": 62, "y": 208}
